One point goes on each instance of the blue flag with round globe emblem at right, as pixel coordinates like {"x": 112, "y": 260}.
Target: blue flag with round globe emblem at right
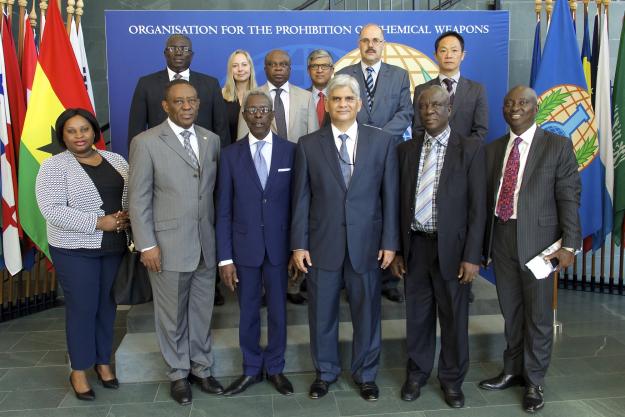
{"x": 565, "y": 108}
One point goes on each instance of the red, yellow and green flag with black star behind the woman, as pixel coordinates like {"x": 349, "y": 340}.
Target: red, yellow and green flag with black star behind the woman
{"x": 58, "y": 85}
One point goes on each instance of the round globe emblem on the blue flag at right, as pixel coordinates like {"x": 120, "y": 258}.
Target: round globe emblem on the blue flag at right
{"x": 566, "y": 110}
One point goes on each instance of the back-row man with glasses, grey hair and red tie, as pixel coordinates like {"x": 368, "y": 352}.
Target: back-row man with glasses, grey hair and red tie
{"x": 320, "y": 70}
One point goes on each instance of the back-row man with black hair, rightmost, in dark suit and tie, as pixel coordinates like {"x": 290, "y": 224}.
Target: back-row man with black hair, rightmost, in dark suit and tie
{"x": 469, "y": 110}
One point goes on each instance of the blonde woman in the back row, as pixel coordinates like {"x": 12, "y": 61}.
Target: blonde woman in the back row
{"x": 240, "y": 79}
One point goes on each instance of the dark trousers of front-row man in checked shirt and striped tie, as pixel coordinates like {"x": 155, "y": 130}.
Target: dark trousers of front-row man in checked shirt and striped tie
{"x": 428, "y": 292}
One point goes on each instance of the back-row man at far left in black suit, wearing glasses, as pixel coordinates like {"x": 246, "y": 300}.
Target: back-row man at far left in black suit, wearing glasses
{"x": 146, "y": 110}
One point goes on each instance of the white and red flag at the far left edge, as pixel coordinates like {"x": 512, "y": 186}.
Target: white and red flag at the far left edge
{"x": 10, "y": 232}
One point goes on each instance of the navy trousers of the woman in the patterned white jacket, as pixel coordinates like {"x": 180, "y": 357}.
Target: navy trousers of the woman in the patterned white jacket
{"x": 87, "y": 279}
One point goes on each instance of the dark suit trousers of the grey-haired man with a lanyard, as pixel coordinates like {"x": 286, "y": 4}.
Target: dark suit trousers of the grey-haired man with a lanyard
{"x": 363, "y": 293}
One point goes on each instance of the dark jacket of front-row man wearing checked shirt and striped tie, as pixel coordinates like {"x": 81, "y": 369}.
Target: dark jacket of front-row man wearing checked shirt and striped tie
{"x": 460, "y": 200}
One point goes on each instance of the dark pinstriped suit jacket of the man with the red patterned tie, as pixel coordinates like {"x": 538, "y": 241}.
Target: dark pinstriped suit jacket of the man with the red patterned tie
{"x": 548, "y": 203}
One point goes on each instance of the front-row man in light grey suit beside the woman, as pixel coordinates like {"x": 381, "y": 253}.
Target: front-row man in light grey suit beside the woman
{"x": 172, "y": 178}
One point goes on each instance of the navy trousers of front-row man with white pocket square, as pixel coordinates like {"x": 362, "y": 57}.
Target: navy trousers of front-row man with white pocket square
{"x": 252, "y": 280}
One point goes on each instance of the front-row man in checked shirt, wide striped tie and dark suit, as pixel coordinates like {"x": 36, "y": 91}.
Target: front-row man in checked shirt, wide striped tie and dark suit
{"x": 443, "y": 215}
